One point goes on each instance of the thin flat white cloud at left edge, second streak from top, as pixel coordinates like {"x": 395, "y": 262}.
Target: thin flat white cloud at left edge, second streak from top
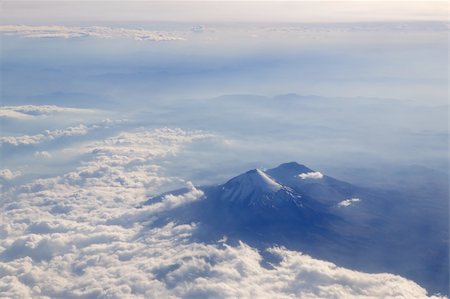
{"x": 34, "y": 111}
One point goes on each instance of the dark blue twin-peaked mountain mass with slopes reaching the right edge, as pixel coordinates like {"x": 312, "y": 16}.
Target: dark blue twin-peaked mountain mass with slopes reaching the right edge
{"x": 302, "y": 209}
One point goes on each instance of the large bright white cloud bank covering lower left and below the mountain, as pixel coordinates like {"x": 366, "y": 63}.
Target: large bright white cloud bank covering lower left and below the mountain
{"x": 85, "y": 235}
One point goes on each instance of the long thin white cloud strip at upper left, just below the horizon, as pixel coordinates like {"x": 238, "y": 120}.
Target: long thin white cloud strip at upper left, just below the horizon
{"x": 93, "y": 31}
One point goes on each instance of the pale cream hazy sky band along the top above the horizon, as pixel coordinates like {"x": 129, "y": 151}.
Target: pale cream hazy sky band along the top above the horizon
{"x": 220, "y": 11}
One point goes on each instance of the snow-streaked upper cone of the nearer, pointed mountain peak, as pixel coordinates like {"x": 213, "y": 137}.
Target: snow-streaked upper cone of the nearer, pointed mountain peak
{"x": 255, "y": 187}
